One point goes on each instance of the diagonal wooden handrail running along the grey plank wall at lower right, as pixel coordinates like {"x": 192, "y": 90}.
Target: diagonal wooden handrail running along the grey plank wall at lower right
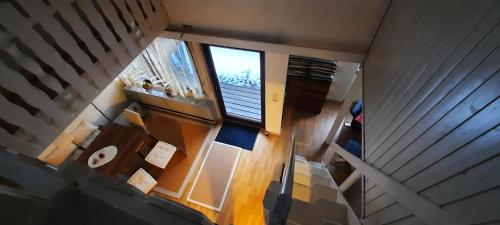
{"x": 422, "y": 208}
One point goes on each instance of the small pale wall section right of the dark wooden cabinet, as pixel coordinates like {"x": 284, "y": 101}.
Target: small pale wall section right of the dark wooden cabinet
{"x": 344, "y": 76}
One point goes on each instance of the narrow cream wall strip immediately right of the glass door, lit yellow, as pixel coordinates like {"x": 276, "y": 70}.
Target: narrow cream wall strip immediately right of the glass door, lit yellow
{"x": 276, "y": 68}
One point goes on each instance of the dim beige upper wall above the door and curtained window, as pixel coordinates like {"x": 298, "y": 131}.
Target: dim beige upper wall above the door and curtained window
{"x": 332, "y": 24}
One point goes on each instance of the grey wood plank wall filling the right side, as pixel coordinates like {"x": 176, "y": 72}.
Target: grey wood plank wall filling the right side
{"x": 431, "y": 90}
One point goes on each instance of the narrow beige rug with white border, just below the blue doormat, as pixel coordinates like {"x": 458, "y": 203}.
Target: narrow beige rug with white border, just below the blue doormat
{"x": 214, "y": 177}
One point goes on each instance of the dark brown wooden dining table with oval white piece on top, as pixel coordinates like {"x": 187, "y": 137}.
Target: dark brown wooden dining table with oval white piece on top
{"x": 133, "y": 145}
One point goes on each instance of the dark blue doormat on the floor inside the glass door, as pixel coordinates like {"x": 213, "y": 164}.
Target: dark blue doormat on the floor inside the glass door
{"x": 237, "y": 135}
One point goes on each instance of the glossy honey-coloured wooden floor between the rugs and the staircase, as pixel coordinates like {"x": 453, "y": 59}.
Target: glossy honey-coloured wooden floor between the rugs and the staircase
{"x": 257, "y": 168}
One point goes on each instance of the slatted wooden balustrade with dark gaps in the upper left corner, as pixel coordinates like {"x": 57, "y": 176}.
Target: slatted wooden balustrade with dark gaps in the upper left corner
{"x": 57, "y": 55}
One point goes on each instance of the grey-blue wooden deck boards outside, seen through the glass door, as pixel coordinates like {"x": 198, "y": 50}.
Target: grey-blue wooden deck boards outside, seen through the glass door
{"x": 242, "y": 102}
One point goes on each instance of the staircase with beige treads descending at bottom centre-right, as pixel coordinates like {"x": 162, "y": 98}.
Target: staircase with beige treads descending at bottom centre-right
{"x": 315, "y": 197}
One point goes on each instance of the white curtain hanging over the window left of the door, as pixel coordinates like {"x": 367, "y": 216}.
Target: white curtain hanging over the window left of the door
{"x": 165, "y": 62}
